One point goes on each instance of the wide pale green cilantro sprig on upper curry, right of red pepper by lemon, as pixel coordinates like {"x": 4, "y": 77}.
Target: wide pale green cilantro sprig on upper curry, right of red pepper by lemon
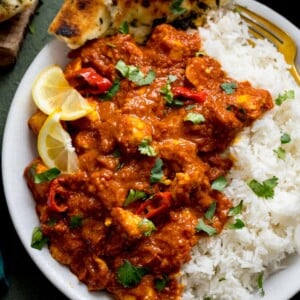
{"x": 134, "y": 74}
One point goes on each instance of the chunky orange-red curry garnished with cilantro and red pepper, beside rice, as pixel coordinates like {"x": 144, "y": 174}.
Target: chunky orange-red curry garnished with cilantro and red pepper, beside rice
{"x": 139, "y": 209}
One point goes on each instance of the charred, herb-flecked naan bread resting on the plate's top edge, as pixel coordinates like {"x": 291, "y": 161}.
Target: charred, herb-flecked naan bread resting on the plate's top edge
{"x": 82, "y": 20}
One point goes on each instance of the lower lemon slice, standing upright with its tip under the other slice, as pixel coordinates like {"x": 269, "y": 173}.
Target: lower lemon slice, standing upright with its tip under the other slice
{"x": 54, "y": 145}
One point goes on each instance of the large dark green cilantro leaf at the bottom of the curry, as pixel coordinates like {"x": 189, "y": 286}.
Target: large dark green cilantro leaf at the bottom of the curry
{"x": 129, "y": 275}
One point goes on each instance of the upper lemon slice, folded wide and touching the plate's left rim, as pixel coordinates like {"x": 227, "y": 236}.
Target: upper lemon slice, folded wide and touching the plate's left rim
{"x": 51, "y": 92}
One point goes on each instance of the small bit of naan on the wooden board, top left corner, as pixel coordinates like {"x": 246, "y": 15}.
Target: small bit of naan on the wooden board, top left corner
{"x": 9, "y": 8}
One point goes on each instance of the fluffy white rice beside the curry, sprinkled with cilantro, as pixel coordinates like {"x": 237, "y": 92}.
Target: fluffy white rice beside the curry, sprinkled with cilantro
{"x": 227, "y": 266}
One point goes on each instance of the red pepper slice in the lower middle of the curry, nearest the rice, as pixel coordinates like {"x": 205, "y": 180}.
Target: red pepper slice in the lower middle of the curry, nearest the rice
{"x": 156, "y": 205}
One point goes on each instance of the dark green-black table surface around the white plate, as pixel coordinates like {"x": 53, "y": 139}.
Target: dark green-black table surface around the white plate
{"x": 26, "y": 282}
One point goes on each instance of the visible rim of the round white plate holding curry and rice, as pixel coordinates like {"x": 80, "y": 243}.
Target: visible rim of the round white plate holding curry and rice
{"x": 19, "y": 147}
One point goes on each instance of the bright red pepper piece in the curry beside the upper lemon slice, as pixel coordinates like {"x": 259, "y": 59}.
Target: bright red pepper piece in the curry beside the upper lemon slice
{"x": 88, "y": 81}
